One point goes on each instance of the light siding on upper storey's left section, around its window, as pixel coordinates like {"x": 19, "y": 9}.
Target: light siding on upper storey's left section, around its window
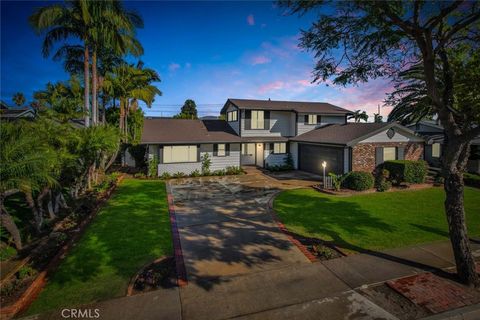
{"x": 280, "y": 125}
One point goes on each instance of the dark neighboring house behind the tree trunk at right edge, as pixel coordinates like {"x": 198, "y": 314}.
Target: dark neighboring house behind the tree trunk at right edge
{"x": 434, "y": 136}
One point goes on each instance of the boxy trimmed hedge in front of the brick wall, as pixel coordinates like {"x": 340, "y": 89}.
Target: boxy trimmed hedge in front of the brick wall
{"x": 409, "y": 171}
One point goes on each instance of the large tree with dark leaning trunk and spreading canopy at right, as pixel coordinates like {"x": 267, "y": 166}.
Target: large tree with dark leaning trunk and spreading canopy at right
{"x": 384, "y": 38}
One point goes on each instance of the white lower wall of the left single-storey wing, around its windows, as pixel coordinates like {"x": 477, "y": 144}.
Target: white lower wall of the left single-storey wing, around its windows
{"x": 218, "y": 163}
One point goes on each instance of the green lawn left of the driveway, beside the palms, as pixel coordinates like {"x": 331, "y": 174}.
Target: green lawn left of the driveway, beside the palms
{"x": 132, "y": 229}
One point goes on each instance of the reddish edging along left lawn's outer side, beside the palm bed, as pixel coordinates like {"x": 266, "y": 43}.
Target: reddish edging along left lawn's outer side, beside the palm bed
{"x": 32, "y": 292}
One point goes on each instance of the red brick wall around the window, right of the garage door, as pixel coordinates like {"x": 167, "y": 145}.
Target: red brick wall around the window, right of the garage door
{"x": 363, "y": 154}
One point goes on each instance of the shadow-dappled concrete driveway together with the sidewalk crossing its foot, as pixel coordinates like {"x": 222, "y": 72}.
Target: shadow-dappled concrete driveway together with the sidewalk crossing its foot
{"x": 240, "y": 265}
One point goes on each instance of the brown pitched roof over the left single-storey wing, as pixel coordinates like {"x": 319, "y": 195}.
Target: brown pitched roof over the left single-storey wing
{"x": 172, "y": 131}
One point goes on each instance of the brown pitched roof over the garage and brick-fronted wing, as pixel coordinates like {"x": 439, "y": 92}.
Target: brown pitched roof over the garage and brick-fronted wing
{"x": 346, "y": 134}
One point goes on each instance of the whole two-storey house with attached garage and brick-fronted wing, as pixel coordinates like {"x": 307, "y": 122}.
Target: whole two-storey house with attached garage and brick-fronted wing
{"x": 264, "y": 132}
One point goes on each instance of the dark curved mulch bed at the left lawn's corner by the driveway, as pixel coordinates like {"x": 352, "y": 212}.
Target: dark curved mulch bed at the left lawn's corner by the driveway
{"x": 159, "y": 274}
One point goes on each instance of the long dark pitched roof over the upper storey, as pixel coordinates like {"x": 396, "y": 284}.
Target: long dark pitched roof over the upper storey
{"x": 298, "y": 106}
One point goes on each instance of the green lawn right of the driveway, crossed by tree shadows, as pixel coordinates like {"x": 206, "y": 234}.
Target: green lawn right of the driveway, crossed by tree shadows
{"x": 373, "y": 221}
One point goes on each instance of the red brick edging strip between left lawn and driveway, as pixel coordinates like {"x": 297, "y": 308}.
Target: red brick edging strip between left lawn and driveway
{"x": 177, "y": 246}
